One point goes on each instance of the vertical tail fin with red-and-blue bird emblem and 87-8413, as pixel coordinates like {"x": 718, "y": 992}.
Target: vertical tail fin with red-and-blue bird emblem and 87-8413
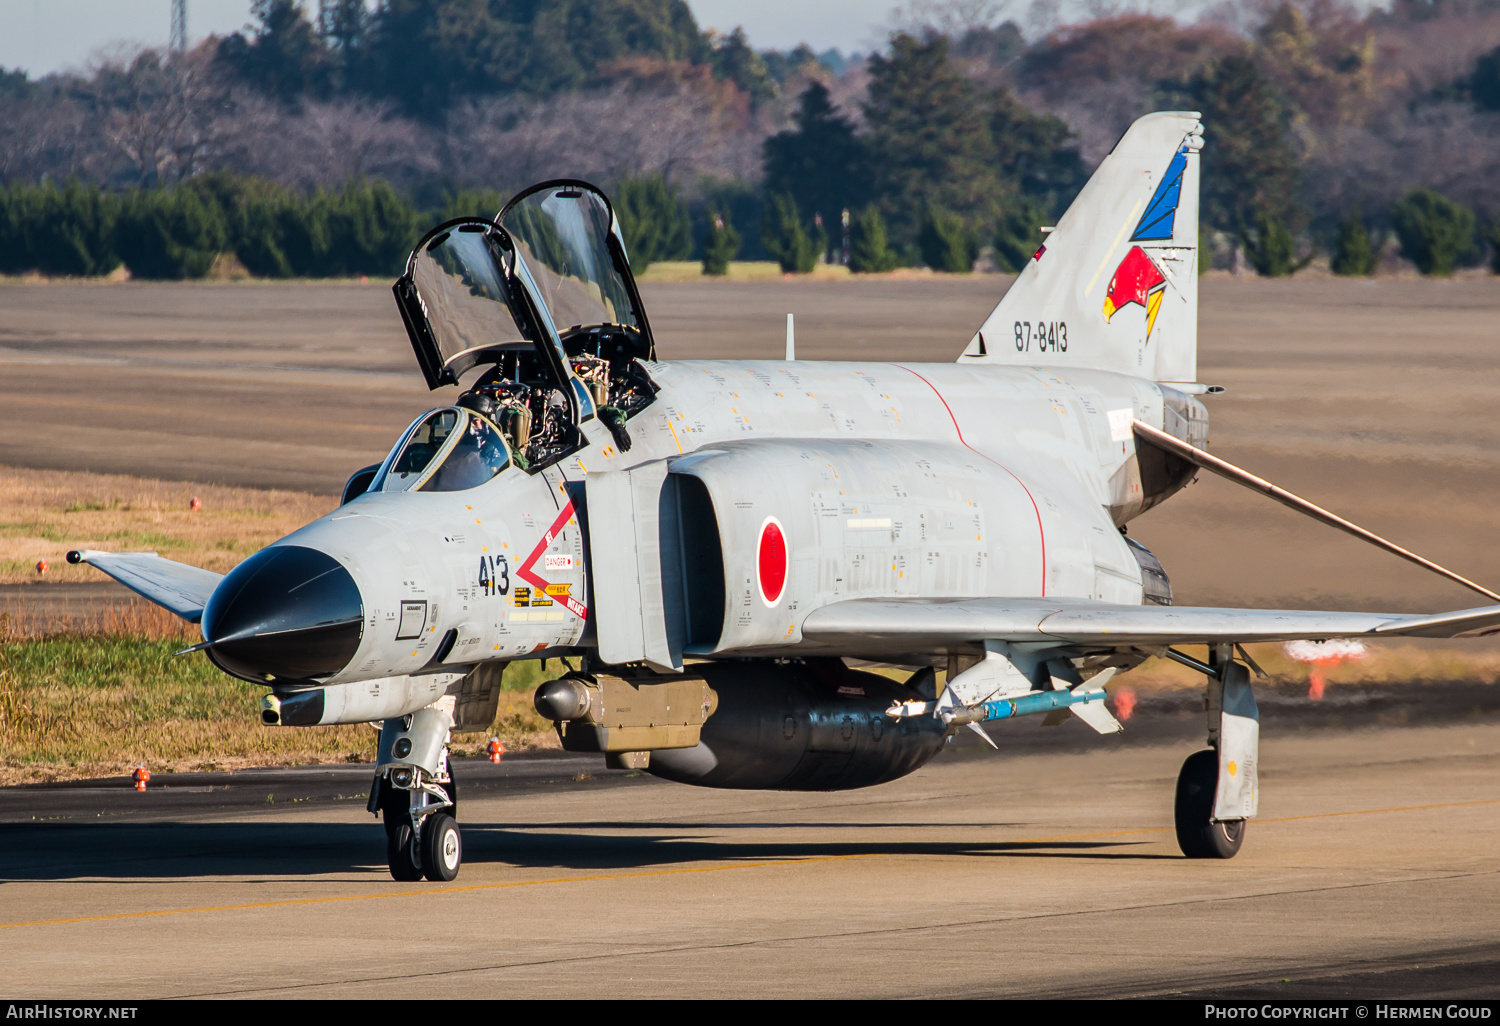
{"x": 1115, "y": 286}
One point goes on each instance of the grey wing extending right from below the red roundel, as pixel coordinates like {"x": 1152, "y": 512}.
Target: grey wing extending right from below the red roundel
{"x": 890, "y": 626}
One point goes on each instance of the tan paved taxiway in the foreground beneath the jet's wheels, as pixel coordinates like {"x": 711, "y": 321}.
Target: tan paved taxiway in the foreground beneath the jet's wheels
{"x": 1045, "y": 871}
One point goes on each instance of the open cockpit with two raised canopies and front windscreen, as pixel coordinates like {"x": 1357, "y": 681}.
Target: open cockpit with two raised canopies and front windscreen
{"x": 493, "y": 295}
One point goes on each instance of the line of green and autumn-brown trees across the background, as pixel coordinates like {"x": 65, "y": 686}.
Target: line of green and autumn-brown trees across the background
{"x": 302, "y": 148}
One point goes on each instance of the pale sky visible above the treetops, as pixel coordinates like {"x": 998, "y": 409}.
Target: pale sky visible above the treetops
{"x": 44, "y": 37}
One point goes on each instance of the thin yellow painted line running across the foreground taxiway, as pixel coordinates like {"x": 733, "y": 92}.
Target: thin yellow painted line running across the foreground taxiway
{"x": 682, "y": 872}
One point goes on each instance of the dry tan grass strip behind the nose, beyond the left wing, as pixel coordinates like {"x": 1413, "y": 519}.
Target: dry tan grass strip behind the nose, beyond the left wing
{"x": 46, "y": 514}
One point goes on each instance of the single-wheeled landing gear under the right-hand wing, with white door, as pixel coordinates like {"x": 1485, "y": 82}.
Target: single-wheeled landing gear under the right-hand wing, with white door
{"x": 1219, "y": 788}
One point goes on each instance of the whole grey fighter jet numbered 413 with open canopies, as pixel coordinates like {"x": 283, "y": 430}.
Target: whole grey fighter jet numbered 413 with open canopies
{"x": 716, "y": 544}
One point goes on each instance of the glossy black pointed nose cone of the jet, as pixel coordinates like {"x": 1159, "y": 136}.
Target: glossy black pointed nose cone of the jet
{"x": 287, "y": 613}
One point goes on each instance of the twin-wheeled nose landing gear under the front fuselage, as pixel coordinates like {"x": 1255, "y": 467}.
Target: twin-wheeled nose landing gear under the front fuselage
{"x": 416, "y": 797}
